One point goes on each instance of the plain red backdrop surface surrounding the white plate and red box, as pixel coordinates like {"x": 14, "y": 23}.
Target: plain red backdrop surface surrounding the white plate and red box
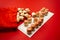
{"x": 49, "y": 31}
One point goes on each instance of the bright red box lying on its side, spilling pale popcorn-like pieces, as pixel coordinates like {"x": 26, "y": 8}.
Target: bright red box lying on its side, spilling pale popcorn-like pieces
{"x": 8, "y": 17}
